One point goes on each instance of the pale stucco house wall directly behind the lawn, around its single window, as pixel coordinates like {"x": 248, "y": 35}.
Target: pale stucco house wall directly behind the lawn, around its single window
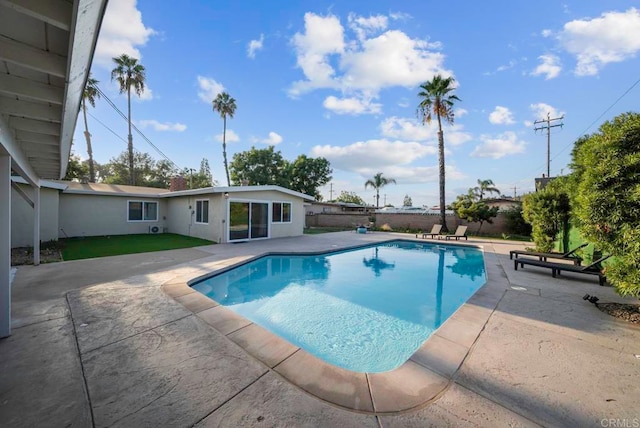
{"x": 98, "y": 215}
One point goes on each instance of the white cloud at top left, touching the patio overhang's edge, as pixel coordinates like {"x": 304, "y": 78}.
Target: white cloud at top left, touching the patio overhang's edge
{"x": 122, "y": 31}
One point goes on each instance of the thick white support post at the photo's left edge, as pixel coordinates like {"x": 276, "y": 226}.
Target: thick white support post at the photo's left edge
{"x": 5, "y": 246}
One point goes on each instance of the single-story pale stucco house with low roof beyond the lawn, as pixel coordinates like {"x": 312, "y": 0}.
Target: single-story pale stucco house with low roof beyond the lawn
{"x": 220, "y": 214}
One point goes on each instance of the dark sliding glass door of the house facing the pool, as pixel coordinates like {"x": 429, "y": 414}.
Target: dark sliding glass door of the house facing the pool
{"x": 248, "y": 220}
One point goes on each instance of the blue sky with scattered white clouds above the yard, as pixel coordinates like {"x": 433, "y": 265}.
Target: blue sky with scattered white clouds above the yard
{"x": 340, "y": 80}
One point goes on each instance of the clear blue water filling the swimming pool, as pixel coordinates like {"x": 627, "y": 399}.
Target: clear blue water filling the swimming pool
{"x": 366, "y": 310}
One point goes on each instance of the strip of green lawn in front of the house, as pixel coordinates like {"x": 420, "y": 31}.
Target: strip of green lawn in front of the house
{"x": 101, "y": 246}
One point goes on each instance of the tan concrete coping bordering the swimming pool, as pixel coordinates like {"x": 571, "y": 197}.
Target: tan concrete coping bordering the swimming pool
{"x": 422, "y": 379}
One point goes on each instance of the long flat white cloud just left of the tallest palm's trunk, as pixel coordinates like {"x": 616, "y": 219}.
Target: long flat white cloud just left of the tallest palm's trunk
{"x": 372, "y": 154}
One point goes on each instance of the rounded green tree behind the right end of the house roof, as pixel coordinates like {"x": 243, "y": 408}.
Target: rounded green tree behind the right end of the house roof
{"x": 307, "y": 175}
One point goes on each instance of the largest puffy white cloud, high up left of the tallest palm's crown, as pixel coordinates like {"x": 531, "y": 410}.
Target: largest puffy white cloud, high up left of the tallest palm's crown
{"x": 362, "y": 66}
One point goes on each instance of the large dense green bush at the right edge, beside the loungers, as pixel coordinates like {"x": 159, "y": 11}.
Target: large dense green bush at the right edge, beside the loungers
{"x": 606, "y": 169}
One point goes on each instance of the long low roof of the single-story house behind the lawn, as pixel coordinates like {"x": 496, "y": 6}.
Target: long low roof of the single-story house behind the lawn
{"x": 153, "y": 192}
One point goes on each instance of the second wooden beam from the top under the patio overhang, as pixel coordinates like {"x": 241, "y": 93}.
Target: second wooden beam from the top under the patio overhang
{"x": 33, "y": 58}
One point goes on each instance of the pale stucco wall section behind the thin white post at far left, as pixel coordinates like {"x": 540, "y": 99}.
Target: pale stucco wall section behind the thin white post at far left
{"x": 22, "y": 217}
